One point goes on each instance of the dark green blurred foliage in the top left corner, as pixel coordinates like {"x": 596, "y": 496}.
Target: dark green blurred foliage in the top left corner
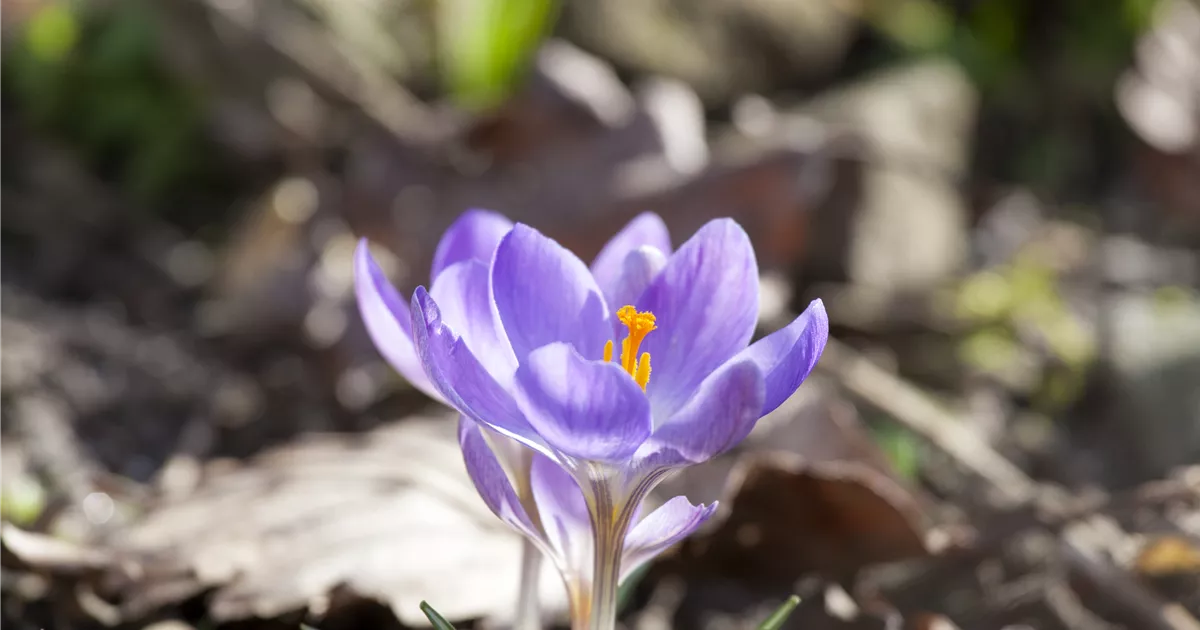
{"x": 91, "y": 76}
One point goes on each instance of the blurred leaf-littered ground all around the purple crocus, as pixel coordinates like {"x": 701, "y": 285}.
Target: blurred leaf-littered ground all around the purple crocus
{"x": 999, "y": 202}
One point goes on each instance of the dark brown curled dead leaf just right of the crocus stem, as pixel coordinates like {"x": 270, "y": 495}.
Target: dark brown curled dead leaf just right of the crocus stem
{"x": 808, "y": 502}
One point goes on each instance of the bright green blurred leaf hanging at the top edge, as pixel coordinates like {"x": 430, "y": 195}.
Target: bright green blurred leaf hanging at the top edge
{"x": 487, "y": 46}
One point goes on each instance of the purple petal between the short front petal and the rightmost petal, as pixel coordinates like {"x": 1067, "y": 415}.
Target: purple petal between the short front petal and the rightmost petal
{"x": 722, "y": 415}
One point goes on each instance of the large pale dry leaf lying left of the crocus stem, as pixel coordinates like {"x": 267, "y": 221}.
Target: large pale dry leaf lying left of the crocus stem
{"x": 388, "y": 517}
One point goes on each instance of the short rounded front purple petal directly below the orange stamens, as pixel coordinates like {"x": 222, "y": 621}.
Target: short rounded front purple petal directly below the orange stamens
{"x": 587, "y": 410}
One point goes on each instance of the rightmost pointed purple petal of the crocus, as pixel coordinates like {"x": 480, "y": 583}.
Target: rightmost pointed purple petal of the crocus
{"x": 787, "y": 357}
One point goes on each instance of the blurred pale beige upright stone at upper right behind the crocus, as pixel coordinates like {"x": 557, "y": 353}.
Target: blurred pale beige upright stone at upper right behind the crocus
{"x": 915, "y": 123}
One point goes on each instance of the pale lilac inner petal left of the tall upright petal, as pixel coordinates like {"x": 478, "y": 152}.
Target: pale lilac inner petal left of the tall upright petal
{"x": 463, "y": 296}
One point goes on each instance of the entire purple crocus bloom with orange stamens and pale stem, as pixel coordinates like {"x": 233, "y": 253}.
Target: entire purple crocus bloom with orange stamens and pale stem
{"x": 531, "y": 344}
